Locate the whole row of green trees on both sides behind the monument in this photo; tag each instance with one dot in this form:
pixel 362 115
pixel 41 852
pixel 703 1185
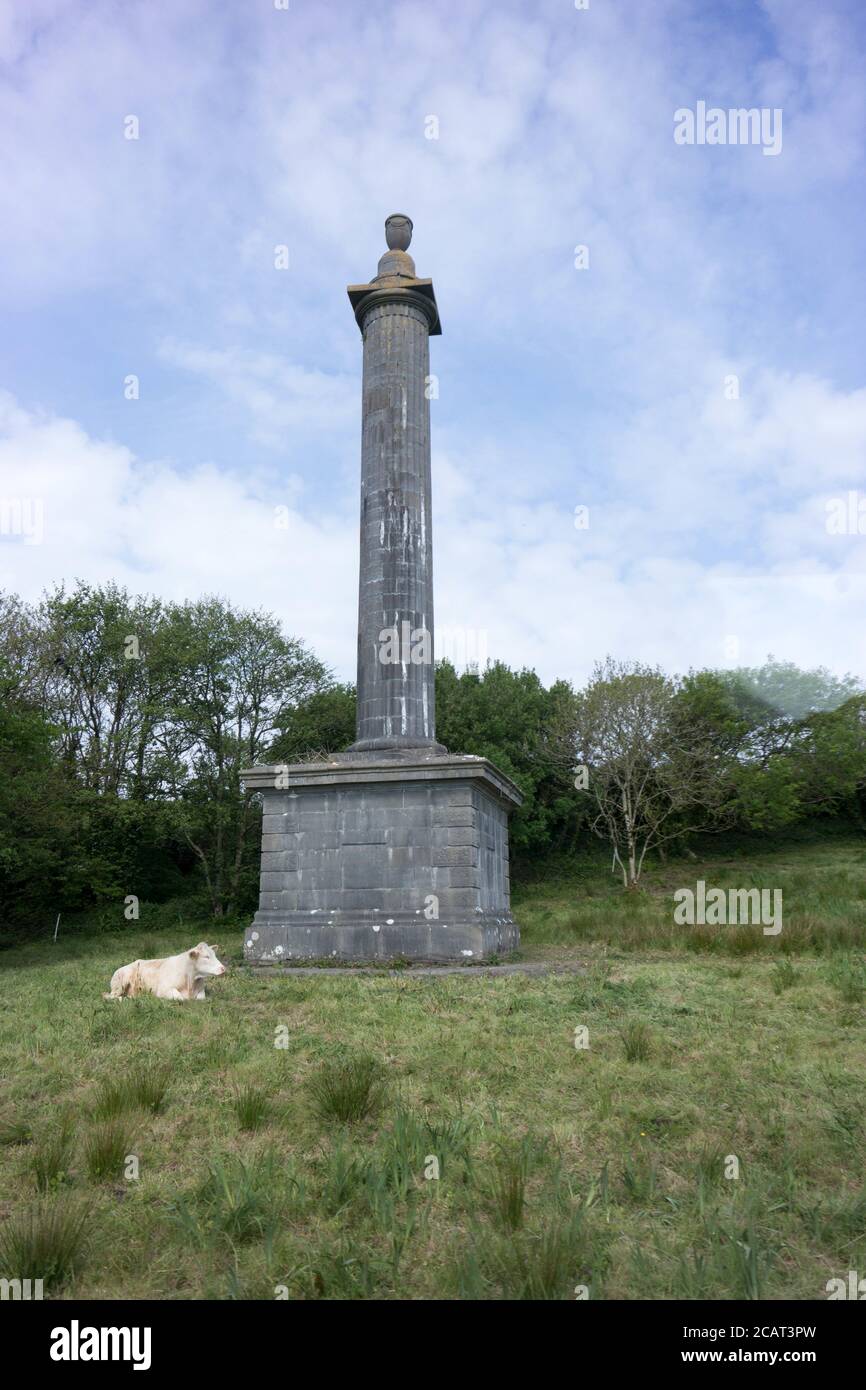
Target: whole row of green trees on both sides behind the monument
pixel 126 723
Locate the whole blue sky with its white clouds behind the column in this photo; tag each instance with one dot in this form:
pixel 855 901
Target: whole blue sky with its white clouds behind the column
pixel 558 387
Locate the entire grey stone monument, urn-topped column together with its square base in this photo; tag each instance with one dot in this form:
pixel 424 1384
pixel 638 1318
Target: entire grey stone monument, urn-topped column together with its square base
pixel 394 849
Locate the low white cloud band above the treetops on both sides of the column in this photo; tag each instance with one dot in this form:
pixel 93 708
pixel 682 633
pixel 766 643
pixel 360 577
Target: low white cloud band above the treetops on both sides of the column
pixel 544 594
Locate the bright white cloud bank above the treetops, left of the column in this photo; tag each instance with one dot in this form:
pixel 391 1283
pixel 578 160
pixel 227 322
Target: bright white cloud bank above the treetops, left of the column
pixel 158 530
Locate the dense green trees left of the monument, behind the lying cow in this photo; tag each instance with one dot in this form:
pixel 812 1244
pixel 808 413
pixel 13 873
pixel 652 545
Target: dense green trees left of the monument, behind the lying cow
pixel 124 729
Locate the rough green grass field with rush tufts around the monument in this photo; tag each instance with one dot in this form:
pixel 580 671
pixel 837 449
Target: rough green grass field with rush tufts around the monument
pixel 288 1134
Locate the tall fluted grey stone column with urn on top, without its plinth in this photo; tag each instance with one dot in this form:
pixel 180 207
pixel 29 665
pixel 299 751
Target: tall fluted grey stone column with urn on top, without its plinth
pixel 397 313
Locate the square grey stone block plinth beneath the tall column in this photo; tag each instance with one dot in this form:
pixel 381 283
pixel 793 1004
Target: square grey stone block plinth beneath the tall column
pixel 368 860
